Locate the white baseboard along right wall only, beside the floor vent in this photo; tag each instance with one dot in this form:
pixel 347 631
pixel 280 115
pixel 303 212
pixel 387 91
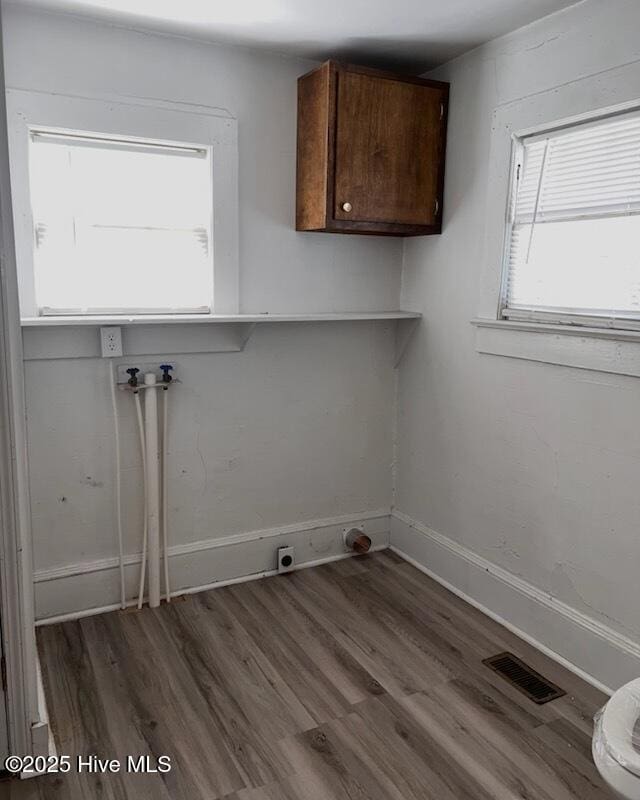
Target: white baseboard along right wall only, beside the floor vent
pixel 596 652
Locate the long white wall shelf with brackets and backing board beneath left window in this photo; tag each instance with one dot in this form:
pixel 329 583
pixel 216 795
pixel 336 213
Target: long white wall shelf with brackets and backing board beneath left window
pixel 61 337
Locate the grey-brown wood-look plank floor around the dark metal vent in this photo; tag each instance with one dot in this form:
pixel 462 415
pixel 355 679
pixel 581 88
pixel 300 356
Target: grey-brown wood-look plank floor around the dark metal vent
pixel 358 680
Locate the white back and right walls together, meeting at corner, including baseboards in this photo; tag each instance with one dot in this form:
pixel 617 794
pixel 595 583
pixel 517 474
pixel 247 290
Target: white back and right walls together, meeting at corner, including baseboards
pixel 526 471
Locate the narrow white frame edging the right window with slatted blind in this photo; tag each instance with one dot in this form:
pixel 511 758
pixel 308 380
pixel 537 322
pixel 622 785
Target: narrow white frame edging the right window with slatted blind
pixel 621 322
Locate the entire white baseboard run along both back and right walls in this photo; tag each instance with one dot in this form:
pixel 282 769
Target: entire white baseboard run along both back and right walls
pixel 594 651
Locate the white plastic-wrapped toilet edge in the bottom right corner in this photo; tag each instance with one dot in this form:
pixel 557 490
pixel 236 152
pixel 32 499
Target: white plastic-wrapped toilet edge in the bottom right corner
pixel 616 742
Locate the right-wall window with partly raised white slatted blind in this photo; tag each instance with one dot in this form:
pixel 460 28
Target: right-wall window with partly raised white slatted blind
pixel 574 249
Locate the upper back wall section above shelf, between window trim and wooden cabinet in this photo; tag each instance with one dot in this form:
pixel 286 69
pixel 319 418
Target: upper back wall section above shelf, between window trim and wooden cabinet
pixel 281 270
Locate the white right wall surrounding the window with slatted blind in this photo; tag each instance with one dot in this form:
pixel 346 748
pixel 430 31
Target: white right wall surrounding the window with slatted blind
pixel 533 467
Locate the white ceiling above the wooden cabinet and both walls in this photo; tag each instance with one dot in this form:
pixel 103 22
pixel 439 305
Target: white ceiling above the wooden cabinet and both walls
pixel 411 34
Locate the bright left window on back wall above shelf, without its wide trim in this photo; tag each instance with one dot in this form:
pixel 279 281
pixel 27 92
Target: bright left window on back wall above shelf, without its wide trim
pixel 120 225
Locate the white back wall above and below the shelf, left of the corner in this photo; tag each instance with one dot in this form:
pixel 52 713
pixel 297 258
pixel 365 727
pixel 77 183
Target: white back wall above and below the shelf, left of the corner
pixel 296 428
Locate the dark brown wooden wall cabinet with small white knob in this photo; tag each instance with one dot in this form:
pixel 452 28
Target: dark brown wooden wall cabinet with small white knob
pixel 371 148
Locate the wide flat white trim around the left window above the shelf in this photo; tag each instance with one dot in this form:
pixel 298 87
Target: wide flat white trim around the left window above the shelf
pixel 125 118
